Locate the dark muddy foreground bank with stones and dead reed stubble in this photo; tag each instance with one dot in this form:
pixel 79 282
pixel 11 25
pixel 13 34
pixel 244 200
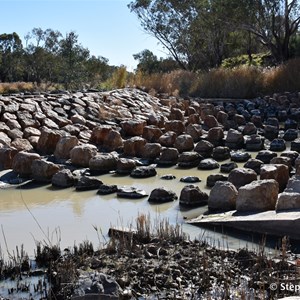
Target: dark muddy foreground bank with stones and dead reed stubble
pixel 157 261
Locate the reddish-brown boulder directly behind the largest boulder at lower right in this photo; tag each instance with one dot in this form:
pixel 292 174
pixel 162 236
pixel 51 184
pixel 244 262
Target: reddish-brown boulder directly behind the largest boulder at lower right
pixel 278 172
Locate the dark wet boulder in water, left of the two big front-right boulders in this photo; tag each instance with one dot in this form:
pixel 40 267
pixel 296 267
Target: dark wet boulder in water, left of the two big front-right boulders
pixel 191 196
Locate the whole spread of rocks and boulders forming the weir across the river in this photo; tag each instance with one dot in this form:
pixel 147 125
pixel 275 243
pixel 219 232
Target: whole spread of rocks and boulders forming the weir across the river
pixel 46 137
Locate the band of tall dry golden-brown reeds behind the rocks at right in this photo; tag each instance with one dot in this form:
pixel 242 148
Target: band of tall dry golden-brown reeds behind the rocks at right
pixel 238 82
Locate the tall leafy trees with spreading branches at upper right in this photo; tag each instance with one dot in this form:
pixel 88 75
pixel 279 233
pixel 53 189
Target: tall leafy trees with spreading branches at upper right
pixel 200 34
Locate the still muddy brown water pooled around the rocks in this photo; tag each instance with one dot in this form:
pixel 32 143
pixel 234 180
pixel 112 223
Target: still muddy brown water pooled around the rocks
pixel 68 217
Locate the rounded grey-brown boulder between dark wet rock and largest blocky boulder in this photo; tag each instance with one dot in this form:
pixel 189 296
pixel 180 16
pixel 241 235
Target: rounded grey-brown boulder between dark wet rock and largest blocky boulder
pixel 222 196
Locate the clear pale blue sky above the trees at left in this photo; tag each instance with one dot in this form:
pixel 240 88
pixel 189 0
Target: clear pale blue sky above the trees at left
pixel 105 27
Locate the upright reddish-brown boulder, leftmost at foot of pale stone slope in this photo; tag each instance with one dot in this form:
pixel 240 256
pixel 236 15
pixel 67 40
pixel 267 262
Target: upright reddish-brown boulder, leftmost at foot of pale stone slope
pixel 48 140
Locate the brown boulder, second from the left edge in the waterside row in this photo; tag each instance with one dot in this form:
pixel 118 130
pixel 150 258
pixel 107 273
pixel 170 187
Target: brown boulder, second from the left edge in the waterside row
pixel 22 162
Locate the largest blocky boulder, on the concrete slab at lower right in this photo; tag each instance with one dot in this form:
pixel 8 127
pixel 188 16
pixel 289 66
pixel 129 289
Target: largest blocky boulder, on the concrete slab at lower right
pixel 260 195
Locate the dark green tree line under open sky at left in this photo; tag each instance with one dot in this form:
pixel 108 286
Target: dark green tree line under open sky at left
pixel 48 56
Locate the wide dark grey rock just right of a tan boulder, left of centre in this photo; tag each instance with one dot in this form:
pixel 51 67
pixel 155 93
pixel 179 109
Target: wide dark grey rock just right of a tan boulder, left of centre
pixel 103 162
